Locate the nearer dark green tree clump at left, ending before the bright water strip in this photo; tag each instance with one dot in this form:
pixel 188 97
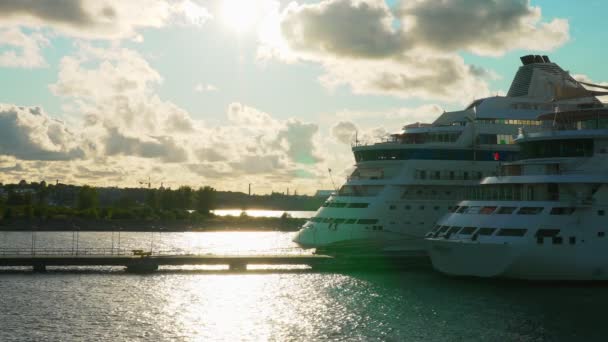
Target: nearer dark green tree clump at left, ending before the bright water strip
pixel 42 201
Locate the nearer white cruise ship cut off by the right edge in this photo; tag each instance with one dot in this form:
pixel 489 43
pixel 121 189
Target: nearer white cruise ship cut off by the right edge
pixel 544 217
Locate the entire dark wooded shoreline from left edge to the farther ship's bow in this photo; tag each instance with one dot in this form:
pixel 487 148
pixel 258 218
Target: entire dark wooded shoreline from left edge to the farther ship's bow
pixel 60 201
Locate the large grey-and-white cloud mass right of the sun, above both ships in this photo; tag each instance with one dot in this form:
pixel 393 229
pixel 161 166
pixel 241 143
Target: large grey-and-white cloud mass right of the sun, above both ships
pixel 411 51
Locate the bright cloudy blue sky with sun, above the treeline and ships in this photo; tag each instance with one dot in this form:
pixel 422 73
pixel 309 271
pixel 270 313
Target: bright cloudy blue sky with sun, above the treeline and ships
pixel 269 92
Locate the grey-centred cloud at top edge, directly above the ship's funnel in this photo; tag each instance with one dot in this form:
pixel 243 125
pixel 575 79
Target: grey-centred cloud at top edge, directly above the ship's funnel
pixel 482 27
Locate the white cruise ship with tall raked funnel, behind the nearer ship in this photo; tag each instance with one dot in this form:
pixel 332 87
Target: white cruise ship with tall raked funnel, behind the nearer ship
pixel 401 187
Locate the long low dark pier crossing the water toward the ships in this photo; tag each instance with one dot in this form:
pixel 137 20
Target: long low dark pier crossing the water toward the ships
pixel 140 261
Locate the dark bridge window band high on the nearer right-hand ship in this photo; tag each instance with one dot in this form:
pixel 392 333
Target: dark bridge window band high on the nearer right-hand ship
pixel 557 148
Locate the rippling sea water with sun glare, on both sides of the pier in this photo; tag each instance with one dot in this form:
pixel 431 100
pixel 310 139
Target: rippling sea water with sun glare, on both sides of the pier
pixel 197 304
